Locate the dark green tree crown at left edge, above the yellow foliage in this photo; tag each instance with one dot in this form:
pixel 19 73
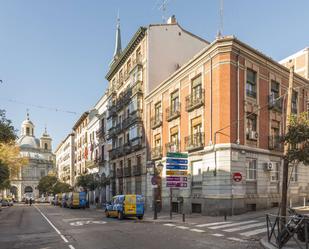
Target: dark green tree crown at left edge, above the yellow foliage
pixel 7 131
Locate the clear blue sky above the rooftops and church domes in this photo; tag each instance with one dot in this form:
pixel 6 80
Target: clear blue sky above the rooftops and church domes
pixel 56 53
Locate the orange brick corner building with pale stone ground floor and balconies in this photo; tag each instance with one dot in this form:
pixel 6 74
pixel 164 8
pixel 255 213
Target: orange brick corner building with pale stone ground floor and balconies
pixel 221 108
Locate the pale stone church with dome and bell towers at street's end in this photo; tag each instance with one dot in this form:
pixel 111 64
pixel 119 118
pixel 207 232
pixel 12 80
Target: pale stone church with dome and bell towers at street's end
pixel 41 161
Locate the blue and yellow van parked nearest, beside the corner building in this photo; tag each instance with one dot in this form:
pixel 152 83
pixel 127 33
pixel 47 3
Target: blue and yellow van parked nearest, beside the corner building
pixel 125 206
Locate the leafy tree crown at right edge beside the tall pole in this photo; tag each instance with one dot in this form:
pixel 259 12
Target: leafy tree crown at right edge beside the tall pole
pixel 298 139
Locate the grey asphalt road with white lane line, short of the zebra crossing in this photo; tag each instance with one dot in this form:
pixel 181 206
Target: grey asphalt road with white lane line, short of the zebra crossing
pixel 48 227
